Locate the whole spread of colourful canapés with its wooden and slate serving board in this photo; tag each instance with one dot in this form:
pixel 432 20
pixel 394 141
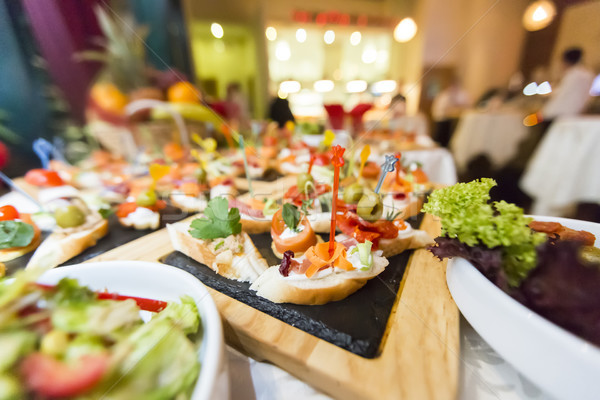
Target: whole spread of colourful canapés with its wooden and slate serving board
pixel 320 267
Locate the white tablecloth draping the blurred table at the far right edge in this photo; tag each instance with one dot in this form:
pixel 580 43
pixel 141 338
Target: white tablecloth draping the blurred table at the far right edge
pixel 565 168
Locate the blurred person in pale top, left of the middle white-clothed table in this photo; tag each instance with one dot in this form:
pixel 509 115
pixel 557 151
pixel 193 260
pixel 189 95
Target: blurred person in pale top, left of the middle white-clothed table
pixel 446 109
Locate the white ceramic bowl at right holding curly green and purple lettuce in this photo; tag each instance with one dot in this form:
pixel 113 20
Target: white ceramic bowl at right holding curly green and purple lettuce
pixel 559 362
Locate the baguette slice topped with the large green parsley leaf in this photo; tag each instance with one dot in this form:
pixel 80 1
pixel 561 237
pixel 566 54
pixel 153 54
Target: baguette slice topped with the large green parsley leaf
pixel 244 267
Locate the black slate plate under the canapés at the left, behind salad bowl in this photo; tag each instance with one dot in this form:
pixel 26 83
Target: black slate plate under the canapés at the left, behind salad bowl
pixel 117 235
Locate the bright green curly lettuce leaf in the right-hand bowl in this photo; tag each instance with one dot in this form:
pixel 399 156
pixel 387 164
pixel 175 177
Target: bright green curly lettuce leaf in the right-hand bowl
pixel 468 215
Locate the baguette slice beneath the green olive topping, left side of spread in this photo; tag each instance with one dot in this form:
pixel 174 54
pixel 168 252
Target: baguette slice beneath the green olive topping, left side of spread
pixel 60 247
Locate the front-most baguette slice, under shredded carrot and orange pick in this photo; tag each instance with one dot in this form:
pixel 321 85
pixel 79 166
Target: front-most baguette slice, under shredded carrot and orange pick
pixel 336 286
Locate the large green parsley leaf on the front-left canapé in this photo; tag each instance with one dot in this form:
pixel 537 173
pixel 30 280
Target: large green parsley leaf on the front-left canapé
pixel 219 221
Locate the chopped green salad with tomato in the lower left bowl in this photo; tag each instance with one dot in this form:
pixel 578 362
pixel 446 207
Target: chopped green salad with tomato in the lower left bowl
pixel 66 341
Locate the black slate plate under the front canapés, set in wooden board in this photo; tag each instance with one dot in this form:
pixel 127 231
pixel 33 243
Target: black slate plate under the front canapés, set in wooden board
pixel 356 324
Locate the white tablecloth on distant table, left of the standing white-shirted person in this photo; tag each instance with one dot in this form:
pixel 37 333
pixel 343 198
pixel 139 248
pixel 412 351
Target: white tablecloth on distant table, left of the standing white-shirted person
pixel 494 134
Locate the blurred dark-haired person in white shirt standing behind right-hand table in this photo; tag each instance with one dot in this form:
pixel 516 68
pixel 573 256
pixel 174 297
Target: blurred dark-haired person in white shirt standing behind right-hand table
pixel 573 93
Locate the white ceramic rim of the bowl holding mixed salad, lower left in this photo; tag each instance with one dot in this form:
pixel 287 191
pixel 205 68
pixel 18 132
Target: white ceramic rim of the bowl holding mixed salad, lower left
pixel 161 282
